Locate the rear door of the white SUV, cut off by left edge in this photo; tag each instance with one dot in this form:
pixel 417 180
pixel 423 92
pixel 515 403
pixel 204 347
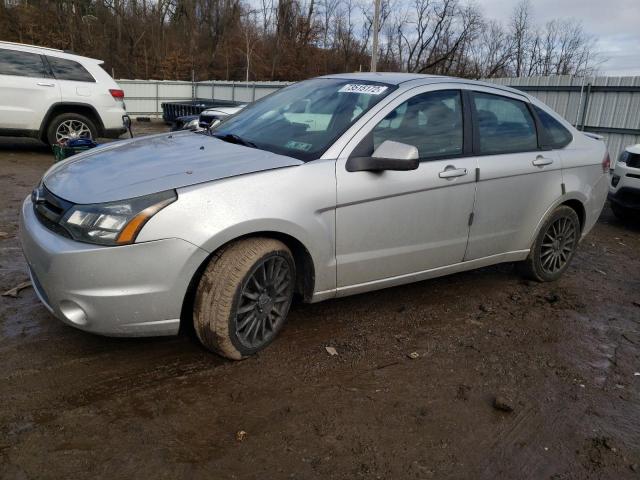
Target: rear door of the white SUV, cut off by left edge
pixel 26 90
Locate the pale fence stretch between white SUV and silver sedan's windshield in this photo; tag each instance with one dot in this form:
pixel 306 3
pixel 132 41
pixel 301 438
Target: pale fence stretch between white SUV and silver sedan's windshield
pixel 144 97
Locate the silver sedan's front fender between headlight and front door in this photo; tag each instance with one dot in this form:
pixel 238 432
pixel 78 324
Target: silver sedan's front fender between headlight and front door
pixel 298 202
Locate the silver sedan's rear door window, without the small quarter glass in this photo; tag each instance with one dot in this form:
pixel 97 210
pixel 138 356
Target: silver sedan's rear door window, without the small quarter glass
pixel 504 124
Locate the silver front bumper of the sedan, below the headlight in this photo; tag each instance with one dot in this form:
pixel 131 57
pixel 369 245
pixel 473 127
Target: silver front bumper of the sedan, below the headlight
pixel 130 290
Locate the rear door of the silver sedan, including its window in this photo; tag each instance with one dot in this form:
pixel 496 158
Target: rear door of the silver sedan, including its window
pixel 518 179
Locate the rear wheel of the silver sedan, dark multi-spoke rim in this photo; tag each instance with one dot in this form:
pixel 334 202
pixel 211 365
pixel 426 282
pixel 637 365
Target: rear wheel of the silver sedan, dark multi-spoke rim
pixel 554 247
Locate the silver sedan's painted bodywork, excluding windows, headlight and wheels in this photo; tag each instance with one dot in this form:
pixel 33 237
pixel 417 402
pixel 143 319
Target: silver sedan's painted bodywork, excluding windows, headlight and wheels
pixel 363 231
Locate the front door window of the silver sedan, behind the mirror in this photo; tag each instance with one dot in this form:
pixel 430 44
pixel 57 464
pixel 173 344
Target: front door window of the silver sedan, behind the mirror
pixel 431 122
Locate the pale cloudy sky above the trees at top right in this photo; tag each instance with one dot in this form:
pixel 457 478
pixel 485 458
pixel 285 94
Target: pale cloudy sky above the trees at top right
pixel 614 23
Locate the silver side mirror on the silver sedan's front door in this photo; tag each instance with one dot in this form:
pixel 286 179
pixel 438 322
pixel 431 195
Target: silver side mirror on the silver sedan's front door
pixel 389 155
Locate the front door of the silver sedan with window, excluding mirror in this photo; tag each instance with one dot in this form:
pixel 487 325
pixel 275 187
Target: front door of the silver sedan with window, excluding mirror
pixel 399 223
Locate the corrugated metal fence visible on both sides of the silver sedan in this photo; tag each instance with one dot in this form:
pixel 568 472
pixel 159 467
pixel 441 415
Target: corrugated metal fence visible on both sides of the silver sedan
pixel 608 106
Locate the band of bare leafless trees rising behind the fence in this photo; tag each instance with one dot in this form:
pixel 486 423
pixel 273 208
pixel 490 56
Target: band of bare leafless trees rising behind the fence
pixel 295 39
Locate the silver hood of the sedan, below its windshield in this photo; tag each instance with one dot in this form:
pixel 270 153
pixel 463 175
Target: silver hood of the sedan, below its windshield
pixel 145 165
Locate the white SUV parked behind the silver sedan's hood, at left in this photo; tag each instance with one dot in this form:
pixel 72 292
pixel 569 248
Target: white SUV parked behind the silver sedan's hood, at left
pixel 52 95
